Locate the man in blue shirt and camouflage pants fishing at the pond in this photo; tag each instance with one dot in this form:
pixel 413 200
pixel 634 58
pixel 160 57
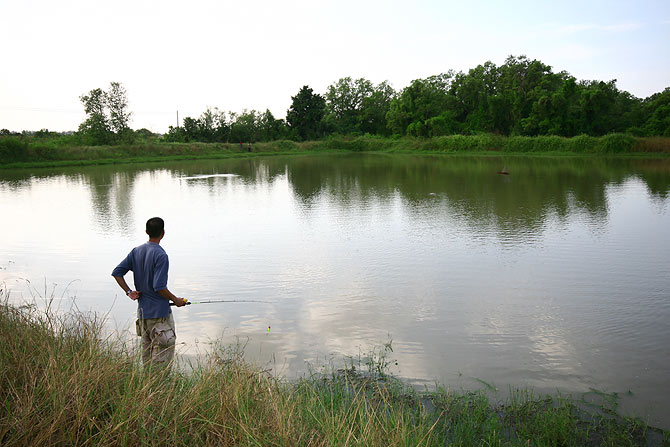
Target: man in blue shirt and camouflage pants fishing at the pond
pixel 155 324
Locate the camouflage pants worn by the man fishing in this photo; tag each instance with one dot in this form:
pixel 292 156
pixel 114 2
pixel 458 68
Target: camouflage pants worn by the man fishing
pixel 158 339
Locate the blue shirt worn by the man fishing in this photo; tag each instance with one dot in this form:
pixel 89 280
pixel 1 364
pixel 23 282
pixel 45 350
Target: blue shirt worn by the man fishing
pixel 149 264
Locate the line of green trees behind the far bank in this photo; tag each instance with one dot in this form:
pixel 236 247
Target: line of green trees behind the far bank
pixel 520 97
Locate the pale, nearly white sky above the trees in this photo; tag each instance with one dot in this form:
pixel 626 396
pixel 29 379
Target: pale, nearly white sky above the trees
pixel 256 54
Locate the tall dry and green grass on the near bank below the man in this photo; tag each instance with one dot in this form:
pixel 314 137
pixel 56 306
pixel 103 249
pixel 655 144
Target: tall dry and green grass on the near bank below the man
pixel 63 383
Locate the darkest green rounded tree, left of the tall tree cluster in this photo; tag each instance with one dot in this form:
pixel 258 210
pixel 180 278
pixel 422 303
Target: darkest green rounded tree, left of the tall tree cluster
pixel 305 114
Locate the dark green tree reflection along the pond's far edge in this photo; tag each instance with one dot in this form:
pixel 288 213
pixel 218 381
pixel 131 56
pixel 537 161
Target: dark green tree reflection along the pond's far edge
pixel 514 206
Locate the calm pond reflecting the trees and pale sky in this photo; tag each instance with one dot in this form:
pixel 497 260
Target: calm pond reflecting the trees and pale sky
pixel 555 276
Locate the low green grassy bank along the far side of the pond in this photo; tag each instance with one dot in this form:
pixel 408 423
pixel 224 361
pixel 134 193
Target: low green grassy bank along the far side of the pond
pixel 16 152
